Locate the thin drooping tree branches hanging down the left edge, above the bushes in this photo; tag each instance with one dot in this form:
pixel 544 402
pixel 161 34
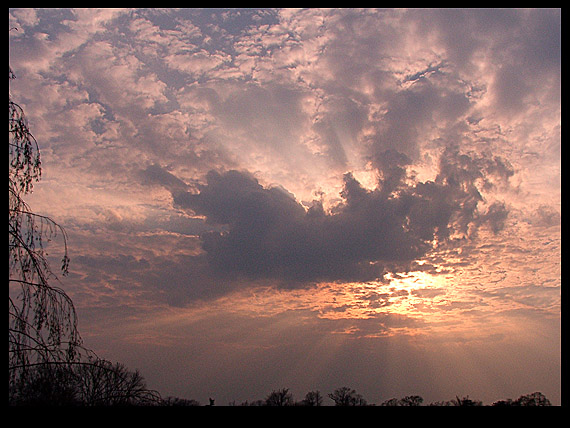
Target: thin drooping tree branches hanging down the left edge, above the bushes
pixel 42 324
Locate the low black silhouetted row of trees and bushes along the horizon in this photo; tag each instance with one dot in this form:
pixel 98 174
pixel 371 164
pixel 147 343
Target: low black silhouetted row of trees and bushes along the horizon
pixel 94 385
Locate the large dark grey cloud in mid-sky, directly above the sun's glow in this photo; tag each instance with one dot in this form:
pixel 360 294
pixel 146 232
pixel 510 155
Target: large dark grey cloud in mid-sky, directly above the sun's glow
pixel 269 235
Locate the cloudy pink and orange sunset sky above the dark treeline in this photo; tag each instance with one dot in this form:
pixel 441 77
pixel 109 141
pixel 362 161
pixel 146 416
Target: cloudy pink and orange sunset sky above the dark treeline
pixel 305 198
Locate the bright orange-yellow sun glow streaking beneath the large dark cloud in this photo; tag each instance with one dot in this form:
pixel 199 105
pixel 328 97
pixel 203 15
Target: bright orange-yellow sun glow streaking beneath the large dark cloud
pixel 415 294
